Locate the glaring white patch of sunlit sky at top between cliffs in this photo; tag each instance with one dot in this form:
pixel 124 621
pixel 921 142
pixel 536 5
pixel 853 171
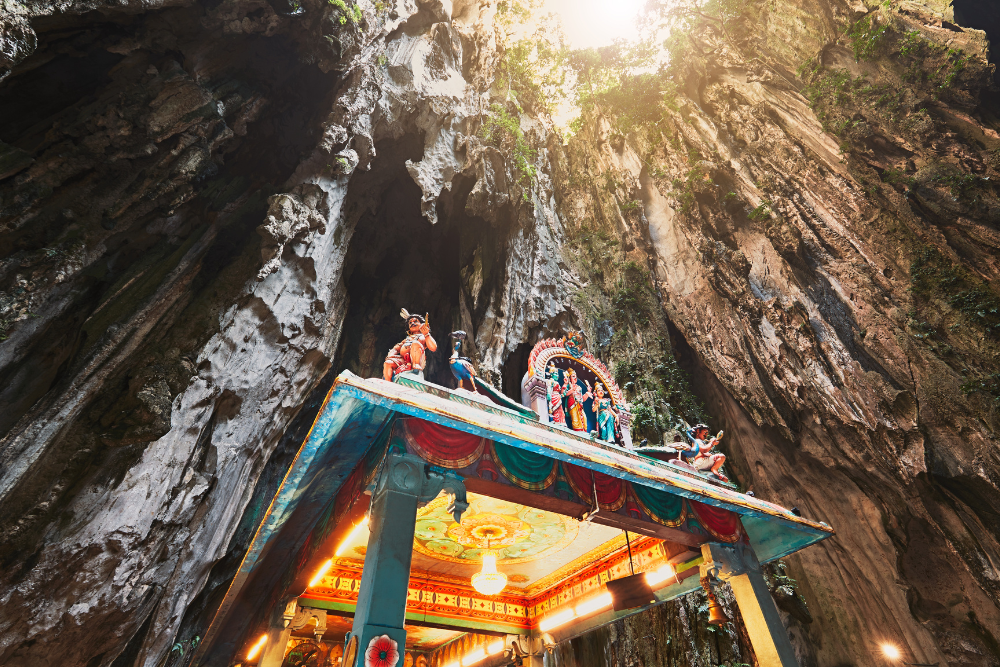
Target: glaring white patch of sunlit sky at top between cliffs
pixel 595 23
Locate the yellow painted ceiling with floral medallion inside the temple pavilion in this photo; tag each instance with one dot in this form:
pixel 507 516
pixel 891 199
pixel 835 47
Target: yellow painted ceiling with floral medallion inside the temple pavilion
pixel 532 545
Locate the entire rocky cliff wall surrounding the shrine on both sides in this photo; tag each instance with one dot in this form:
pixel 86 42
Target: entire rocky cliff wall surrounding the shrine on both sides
pixel 206 208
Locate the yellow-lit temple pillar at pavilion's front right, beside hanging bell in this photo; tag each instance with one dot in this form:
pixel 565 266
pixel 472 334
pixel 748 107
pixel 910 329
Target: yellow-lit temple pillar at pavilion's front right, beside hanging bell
pixel 737 564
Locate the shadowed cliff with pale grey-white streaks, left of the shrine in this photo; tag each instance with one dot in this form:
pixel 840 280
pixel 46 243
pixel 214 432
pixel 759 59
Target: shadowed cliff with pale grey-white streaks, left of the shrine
pixel 179 198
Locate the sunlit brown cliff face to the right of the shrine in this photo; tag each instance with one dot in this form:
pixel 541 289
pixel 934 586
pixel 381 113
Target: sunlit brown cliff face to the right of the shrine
pixel 825 242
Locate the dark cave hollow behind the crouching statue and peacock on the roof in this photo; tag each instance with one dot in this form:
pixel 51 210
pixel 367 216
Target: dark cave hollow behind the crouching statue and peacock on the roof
pixel 397 259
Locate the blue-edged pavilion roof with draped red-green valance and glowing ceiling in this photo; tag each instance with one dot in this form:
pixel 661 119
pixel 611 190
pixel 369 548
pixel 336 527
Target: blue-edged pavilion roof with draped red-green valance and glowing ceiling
pixel 529 485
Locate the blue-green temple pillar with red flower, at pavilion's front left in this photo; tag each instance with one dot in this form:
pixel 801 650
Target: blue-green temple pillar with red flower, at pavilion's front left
pixel 404 483
